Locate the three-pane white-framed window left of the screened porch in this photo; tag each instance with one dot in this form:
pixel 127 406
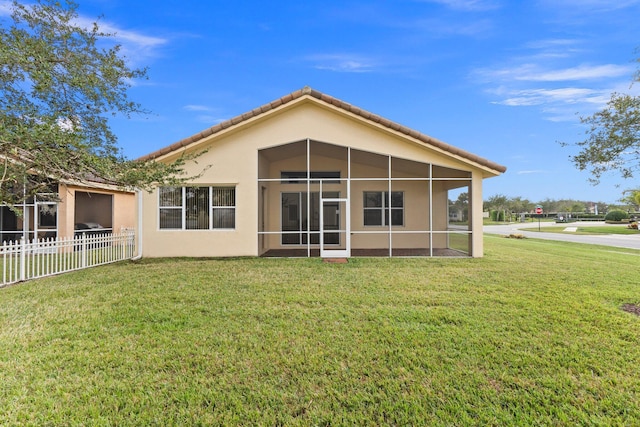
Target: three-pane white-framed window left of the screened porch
pixel 197 208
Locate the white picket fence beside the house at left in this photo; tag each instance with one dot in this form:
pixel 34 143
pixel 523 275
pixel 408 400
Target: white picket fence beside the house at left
pixel 24 260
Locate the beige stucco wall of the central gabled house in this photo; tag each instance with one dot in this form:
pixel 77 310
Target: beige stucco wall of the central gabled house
pixel 232 159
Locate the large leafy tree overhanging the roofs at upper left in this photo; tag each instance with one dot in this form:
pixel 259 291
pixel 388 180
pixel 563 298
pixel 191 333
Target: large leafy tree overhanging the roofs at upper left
pixel 59 84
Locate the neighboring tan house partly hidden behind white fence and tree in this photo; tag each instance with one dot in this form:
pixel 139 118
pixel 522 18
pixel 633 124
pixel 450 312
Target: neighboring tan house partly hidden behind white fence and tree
pixel 67 209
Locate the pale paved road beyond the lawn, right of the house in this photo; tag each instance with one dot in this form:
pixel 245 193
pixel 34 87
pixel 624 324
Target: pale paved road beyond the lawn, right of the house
pixel 631 241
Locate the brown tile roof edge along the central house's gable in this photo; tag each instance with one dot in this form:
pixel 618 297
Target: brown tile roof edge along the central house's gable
pixel 307 91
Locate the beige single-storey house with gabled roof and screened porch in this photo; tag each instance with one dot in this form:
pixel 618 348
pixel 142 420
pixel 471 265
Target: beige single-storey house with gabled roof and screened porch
pixel 311 175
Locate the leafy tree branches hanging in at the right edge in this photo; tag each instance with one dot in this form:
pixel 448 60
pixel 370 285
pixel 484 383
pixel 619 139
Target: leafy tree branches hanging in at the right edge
pixel 613 138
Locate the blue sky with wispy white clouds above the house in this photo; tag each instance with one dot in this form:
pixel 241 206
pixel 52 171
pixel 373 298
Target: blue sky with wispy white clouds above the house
pixel 502 79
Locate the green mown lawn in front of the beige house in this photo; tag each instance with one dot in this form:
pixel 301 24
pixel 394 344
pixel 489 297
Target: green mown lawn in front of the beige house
pixel 532 334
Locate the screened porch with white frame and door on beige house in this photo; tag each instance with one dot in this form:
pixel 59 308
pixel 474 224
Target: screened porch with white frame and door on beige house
pixel 322 199
